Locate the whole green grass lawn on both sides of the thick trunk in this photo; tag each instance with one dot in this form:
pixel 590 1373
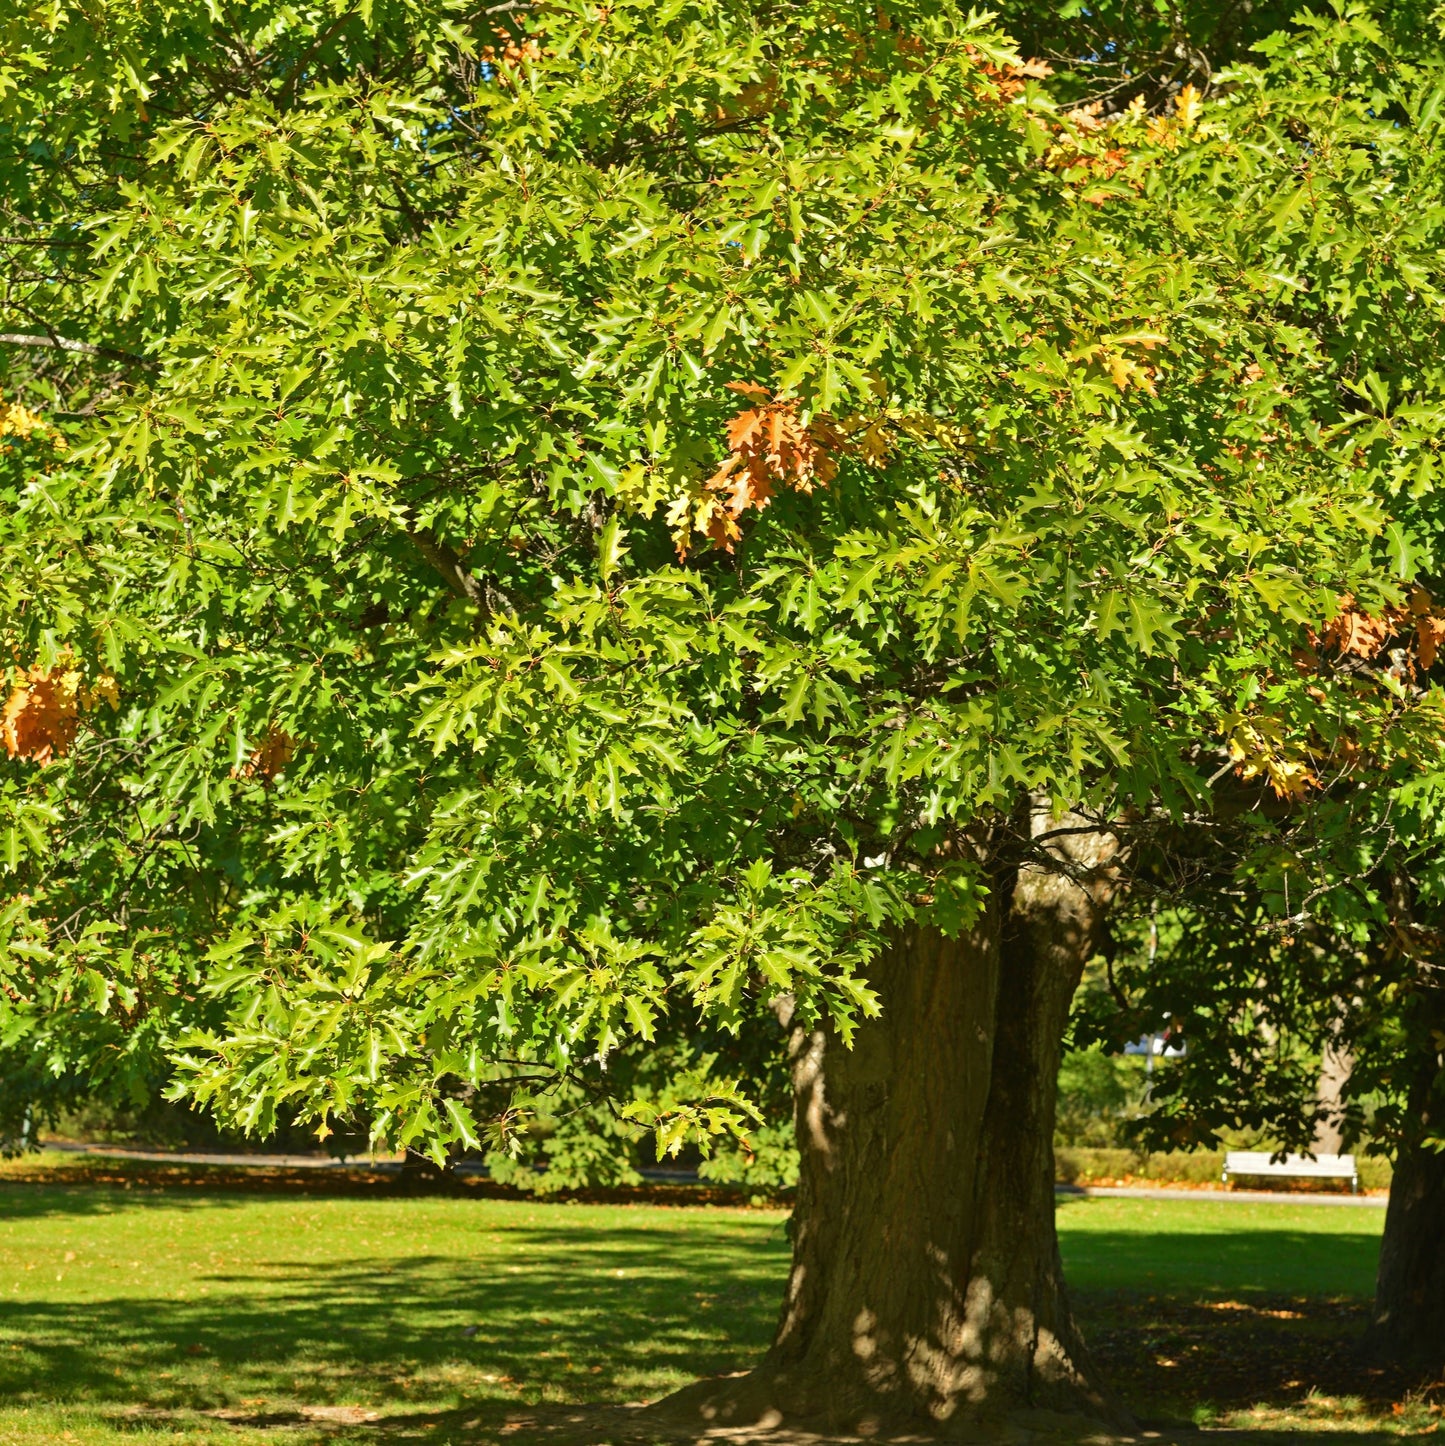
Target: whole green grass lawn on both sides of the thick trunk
pixel 189 1317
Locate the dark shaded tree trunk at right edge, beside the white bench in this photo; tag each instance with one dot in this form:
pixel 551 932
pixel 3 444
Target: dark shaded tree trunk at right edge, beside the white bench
pixel 1410 1304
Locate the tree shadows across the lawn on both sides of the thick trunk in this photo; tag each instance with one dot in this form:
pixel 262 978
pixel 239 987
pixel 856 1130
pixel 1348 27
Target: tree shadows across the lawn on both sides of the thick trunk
pixel 542 1340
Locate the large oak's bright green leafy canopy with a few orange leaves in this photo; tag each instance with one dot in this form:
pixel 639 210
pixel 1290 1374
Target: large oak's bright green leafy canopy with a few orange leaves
pixel 568 523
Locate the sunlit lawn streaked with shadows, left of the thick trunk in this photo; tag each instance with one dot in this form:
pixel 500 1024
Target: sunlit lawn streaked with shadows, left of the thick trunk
pixel 377 1302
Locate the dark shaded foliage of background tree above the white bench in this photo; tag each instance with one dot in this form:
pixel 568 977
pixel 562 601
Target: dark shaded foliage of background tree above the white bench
pixel 1259 998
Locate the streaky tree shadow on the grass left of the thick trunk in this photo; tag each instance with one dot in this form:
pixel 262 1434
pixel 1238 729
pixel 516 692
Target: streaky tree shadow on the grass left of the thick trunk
pixel 585 1314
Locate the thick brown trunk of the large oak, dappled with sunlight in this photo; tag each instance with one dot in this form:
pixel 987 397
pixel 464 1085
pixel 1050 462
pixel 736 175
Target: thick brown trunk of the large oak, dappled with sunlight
pixel 926 1282
